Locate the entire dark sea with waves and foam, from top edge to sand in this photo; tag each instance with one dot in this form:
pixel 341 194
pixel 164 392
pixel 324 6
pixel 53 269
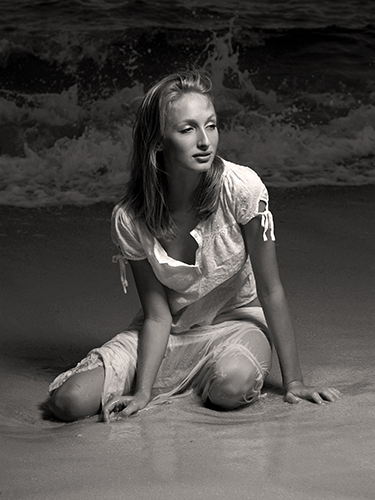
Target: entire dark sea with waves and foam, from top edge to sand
pixel 294 89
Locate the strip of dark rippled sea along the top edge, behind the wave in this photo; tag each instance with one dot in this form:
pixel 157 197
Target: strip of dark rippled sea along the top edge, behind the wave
pixel 35 16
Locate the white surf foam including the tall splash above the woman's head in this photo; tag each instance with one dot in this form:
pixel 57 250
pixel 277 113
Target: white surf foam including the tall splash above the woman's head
pixel 76 151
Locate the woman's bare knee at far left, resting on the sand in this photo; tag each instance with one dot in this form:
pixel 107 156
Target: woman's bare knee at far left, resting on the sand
pixel 78 397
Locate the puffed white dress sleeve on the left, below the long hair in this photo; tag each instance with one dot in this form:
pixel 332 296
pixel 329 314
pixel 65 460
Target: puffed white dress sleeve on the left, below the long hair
pixel 125 234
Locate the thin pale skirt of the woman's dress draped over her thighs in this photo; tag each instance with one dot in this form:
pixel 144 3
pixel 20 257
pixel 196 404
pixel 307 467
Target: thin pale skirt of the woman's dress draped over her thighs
pixel 189 360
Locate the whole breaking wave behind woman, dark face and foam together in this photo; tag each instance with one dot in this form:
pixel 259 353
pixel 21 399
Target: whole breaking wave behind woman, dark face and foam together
pixel 65 133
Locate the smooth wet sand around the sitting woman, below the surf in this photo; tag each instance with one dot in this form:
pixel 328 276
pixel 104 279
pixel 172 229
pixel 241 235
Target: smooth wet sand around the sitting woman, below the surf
pixel 61 295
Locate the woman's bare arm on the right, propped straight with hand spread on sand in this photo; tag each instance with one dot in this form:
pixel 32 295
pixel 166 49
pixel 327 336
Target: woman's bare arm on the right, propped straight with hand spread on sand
pixel 275 306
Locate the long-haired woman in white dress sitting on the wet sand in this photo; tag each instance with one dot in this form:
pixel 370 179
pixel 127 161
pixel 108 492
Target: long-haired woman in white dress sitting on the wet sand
pixel 189 224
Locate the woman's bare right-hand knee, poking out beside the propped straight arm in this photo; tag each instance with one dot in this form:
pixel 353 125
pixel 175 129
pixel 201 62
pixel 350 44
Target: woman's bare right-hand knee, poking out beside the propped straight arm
pixel 236 381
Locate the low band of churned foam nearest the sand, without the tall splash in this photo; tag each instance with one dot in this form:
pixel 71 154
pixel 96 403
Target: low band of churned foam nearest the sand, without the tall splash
pixel 92 167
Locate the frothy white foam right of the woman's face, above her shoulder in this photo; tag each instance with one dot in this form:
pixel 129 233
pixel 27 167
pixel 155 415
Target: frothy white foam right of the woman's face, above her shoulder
pixel 288 155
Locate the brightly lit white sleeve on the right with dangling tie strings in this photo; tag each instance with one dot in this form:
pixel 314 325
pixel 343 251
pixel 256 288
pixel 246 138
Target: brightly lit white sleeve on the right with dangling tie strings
pixel 244 191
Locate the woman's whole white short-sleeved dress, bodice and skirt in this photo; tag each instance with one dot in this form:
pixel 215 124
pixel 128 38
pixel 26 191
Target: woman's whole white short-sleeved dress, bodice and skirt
pixel 207 299
